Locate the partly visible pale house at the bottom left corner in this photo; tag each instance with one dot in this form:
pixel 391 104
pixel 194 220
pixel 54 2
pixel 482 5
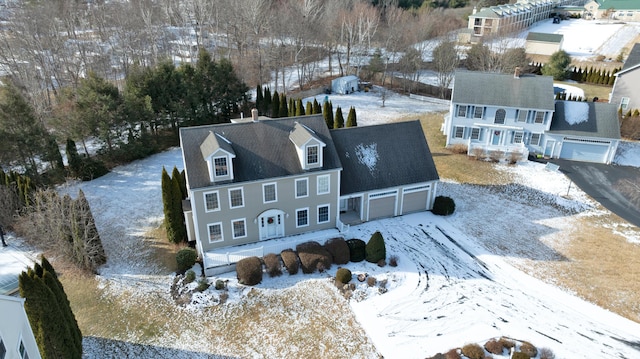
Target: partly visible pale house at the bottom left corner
pixel 16 337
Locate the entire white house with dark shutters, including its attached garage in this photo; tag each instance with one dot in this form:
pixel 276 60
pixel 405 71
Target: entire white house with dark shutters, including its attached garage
pixel 516 115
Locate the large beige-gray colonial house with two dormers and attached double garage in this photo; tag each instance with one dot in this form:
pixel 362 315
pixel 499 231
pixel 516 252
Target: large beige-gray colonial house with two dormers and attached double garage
pixel 269 178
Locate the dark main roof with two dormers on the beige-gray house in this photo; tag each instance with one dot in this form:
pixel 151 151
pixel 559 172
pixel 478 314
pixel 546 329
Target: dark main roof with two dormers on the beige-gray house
pixel 263 149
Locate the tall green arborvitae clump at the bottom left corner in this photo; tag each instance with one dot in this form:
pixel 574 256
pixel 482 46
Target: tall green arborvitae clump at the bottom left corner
pixel 53 324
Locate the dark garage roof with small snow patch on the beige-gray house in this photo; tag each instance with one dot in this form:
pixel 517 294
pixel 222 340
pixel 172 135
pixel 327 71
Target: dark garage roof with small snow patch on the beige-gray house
pixel 383 156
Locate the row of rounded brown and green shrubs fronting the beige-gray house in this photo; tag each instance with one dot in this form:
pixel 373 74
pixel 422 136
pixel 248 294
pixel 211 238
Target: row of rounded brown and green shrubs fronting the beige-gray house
pixel 312 256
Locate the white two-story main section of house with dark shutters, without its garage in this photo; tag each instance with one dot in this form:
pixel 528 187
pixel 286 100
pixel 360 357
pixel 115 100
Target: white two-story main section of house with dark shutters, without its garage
pixel 492 112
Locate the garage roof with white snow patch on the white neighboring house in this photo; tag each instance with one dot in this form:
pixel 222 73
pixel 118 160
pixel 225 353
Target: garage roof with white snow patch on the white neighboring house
pixel 601 121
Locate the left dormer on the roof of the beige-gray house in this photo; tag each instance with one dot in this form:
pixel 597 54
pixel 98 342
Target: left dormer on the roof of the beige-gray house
pixel 218 153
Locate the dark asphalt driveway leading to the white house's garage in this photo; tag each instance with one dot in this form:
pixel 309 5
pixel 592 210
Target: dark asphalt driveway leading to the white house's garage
pixel 612 186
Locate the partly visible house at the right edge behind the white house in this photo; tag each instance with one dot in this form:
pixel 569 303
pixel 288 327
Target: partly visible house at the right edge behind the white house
pixel 626 88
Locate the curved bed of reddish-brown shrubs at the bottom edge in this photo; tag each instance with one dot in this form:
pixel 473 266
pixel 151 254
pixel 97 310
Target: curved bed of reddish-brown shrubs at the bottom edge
pixel 517 350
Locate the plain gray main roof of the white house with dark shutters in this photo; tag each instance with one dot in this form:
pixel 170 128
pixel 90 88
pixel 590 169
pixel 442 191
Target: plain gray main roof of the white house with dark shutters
pixel 493 89
